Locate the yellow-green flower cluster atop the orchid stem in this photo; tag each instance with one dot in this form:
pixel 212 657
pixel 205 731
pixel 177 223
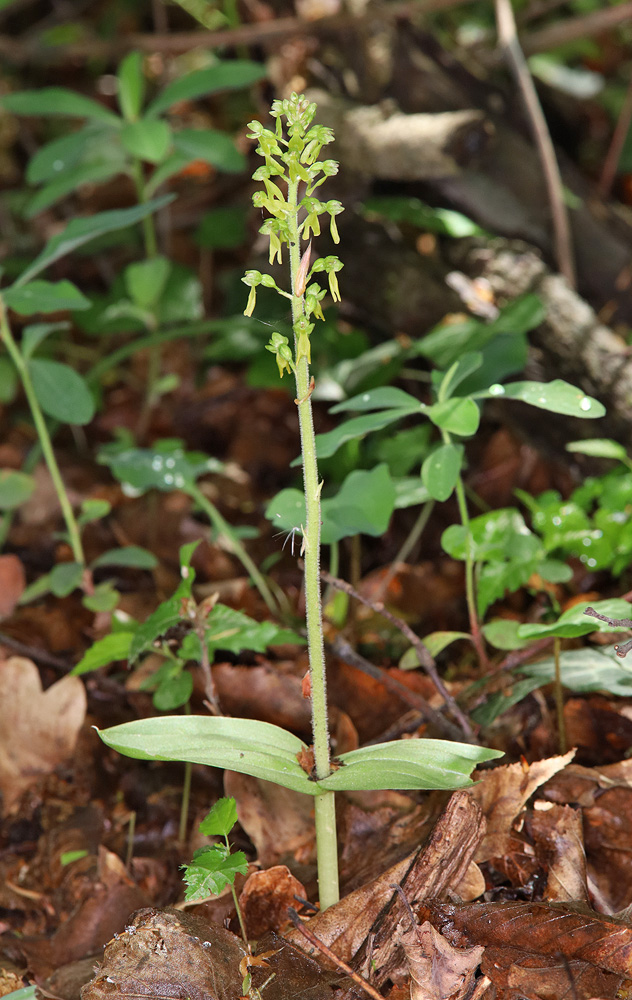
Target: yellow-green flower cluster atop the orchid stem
pixel 290 155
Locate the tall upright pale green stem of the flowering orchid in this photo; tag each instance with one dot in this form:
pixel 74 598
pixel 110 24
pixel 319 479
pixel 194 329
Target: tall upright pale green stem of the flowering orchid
pixel 324 804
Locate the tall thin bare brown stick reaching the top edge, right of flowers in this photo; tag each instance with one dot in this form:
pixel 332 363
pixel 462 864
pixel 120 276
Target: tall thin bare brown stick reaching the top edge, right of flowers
pixel 508 39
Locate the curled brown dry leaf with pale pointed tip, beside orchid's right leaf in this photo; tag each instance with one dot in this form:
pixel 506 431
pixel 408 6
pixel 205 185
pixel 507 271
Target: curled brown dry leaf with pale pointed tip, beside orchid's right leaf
pixel 502 795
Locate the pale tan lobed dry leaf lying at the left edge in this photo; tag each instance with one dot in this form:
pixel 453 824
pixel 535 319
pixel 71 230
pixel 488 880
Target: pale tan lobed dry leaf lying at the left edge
pixel 38 729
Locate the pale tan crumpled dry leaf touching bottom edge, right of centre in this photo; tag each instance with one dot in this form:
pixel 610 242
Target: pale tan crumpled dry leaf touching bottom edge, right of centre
pixel 438 970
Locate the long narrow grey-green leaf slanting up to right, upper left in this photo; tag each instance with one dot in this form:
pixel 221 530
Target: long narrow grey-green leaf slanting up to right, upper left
pixel 82 230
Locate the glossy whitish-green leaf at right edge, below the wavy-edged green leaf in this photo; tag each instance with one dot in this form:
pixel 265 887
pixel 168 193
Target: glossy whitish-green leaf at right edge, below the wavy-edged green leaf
pixel 585 670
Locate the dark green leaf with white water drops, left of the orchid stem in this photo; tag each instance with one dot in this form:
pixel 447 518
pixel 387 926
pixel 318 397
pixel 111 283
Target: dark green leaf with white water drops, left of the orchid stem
pixel 165 468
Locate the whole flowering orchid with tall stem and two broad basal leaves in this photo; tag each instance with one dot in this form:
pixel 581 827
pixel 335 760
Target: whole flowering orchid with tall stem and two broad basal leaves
pixel 290 175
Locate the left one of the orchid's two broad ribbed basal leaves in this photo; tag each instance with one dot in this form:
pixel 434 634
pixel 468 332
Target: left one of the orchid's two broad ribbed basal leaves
pixel 244 745
